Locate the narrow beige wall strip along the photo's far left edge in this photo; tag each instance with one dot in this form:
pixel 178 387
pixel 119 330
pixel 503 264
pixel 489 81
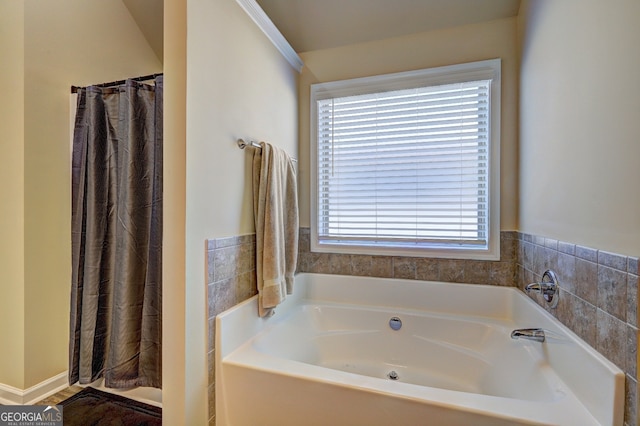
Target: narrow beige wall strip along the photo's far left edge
pixel 12 193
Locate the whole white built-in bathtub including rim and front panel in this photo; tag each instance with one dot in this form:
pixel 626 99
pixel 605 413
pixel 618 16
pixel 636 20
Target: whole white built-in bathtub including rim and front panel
pixel 327 355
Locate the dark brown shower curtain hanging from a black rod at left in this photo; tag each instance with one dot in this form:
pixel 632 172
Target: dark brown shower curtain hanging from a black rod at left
pixel 116 294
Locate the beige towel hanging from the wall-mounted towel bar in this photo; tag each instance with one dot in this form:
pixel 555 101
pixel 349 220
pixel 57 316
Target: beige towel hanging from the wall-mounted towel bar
pixel 275 205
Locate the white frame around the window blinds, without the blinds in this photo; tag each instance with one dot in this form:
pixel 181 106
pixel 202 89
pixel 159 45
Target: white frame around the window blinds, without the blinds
pixel 481 70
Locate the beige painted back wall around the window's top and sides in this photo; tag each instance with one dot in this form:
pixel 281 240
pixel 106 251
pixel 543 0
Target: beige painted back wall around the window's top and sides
pixel 496 39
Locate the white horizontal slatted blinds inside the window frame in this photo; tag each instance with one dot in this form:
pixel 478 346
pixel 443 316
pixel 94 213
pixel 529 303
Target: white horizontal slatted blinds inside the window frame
pixel 405 167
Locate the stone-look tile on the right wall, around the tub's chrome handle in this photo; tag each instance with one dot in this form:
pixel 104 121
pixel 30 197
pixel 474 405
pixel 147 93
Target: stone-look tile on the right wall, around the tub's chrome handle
pixel 598 299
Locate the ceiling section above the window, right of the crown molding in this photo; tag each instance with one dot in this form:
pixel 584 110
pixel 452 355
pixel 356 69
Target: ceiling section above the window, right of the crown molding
pixel 319 24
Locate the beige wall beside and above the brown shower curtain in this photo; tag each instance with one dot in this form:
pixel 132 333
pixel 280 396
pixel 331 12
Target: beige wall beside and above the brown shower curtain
pixel 58 43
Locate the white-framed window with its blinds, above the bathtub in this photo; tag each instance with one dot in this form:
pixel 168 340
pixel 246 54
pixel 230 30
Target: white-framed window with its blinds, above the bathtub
pixel 408 163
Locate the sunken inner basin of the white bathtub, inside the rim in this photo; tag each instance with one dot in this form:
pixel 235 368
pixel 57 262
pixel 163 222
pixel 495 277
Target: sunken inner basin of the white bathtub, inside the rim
pixel 466 354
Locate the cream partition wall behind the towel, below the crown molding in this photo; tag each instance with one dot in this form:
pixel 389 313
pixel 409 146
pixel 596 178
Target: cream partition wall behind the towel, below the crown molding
pixel 238 85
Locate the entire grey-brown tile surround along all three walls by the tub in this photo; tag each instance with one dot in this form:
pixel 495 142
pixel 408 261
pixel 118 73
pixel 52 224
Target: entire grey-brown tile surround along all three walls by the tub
pixel 598 299
